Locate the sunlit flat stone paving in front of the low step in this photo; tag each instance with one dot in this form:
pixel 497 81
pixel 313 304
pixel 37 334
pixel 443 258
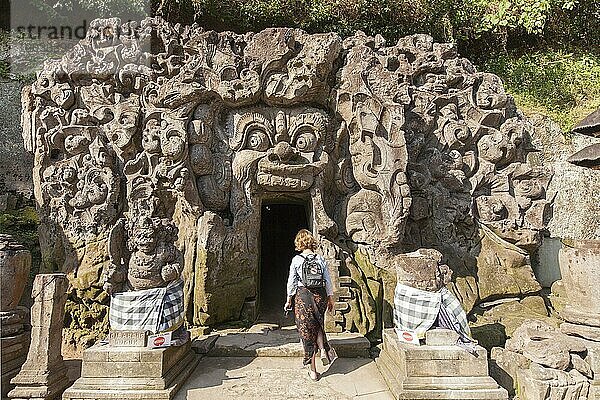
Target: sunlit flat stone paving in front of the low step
pixel 275 378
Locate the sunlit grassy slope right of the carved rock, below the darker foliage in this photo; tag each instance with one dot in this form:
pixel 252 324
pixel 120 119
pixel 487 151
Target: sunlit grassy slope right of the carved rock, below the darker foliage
pixel 564 86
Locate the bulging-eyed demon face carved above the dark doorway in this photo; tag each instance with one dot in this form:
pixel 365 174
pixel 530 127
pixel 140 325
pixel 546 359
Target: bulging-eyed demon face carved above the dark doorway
pixel 282 150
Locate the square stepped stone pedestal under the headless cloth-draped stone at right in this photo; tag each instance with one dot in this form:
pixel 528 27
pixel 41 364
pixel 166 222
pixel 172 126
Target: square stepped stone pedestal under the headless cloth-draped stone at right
pixel 440 371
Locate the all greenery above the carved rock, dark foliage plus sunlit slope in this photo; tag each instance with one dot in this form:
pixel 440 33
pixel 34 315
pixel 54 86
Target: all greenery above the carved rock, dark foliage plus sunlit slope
pixel 520 40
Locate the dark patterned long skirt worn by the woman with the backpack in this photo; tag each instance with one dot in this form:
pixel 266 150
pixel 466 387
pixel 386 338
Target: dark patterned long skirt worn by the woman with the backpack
pixel 309 309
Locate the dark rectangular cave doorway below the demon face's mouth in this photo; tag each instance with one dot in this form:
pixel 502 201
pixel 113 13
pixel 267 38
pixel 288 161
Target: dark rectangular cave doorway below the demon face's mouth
pixel 280 222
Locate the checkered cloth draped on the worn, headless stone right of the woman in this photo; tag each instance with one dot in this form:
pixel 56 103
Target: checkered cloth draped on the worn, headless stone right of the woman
pixel 416 310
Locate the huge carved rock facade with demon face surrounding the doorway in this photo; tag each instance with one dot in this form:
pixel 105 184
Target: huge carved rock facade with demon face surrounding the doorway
pixel 394 148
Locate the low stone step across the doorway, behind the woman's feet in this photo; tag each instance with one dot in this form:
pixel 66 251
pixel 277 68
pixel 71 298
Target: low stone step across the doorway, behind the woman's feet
pixel 275 343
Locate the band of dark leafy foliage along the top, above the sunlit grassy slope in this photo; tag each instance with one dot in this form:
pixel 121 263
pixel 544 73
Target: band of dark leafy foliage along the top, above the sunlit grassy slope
pixel 477 26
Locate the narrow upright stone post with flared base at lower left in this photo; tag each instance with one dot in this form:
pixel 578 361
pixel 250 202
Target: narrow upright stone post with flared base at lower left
pixel 43 376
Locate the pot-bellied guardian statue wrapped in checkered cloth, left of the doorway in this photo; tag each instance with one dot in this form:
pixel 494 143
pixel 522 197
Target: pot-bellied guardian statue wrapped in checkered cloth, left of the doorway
pixel 144 277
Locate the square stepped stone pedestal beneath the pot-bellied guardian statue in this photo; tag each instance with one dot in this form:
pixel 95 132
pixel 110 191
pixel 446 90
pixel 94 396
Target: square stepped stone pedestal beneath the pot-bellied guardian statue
pixel 111 372
